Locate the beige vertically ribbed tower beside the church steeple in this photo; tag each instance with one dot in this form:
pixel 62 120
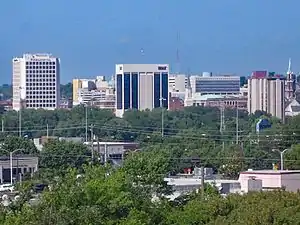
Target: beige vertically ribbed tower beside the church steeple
pixel 266 93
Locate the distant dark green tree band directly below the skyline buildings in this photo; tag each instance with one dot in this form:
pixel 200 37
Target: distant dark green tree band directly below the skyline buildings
pixel 194 131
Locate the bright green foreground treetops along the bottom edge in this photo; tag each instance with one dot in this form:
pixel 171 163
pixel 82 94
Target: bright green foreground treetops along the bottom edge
pixel 99 198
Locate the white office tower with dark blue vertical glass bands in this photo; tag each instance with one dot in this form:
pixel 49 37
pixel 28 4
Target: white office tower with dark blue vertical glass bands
pixel 141 86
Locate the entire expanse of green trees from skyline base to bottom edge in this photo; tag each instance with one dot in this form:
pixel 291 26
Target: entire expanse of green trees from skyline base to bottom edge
pixel 135 193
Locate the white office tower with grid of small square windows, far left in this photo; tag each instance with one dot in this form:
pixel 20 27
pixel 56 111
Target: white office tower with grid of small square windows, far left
pixel 36 81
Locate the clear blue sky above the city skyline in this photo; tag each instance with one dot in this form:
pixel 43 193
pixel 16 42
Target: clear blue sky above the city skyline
pixel 91 36
